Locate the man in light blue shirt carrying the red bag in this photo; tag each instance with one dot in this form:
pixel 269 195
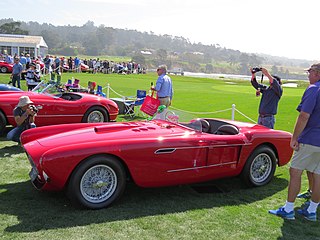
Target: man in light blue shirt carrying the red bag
pixel 163 86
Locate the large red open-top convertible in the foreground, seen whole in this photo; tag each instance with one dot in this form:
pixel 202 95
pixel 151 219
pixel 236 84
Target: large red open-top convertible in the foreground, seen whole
pixel 93 161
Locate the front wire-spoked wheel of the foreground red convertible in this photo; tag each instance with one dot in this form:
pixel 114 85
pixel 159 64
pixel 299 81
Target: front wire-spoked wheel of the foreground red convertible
pixel 97 182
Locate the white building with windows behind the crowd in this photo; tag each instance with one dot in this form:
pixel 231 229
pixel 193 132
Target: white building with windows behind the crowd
pixel 17 44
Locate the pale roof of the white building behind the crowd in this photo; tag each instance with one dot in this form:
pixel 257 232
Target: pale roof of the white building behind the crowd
pixel 22 40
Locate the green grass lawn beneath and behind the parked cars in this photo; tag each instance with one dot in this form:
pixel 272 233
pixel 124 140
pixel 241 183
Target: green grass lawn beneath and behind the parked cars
pixel 228 210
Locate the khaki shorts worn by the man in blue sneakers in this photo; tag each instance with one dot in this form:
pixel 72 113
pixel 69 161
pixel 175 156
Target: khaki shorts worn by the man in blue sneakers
pixel 307 158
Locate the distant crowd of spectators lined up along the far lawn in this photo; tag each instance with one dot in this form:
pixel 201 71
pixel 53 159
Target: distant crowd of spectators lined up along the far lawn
pixel 31 69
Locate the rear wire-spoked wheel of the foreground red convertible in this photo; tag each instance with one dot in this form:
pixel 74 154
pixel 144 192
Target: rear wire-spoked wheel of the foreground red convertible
pixel 260 167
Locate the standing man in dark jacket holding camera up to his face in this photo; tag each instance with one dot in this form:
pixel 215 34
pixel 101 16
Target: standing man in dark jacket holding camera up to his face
pixel 271 95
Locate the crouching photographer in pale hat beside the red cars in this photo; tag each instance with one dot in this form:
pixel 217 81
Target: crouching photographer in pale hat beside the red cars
pixel 24 115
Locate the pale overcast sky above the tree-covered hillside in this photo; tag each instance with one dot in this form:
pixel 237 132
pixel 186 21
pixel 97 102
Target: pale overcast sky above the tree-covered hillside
pixel 276 27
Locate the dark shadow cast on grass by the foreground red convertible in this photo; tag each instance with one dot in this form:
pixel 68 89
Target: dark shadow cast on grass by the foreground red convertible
pixel 51 210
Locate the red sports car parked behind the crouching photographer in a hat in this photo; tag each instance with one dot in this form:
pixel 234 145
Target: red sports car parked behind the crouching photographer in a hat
pixel 59 108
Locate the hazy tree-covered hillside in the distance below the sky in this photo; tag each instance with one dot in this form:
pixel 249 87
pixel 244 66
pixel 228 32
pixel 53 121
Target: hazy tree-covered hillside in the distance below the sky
pixel 151 50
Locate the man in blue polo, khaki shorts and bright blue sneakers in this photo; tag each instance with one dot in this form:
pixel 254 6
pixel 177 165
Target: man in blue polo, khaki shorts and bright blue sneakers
pixel 306 144
